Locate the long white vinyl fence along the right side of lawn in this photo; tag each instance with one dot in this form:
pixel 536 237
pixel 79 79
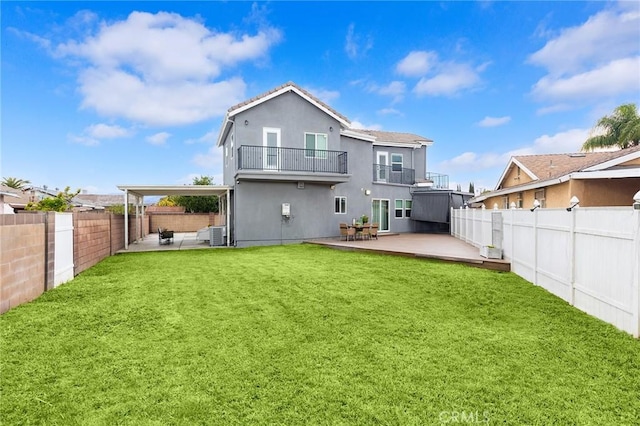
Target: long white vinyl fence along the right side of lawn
pixel 589 257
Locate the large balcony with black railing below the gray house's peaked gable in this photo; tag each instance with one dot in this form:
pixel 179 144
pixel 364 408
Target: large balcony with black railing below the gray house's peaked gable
pixel 292 164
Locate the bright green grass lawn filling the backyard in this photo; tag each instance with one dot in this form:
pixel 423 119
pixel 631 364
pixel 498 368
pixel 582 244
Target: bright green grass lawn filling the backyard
pixel 309 335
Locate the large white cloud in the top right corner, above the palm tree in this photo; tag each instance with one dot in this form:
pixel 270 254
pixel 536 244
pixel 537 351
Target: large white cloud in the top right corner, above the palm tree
pixel 594 61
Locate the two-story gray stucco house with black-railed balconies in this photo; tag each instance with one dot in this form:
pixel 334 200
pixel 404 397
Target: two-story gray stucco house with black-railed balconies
pixel 298 170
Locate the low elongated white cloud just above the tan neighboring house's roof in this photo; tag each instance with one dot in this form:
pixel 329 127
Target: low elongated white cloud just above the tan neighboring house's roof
pixel 562 142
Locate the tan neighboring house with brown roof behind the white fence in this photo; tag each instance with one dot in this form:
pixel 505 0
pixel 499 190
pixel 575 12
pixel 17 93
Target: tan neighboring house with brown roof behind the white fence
pixel 596 178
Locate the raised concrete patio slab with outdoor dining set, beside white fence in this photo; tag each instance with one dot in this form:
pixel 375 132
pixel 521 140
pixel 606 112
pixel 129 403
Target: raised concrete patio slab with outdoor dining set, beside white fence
pixel 432 246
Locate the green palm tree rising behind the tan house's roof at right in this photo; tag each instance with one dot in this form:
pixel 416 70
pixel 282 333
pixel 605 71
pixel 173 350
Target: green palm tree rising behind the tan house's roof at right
pixel 621 129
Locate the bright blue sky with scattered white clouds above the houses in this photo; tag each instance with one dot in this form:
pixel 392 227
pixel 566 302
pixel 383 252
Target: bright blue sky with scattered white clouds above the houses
pixel 96 94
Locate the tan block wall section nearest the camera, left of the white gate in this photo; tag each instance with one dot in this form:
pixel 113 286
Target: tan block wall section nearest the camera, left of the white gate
pixel 22 264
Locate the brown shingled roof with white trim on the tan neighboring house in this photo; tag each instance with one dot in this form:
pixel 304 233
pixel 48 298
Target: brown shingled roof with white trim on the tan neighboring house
pixel 550 169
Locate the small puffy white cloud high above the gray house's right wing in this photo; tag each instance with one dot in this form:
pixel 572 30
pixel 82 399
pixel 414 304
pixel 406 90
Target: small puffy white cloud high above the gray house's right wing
pixel 450 80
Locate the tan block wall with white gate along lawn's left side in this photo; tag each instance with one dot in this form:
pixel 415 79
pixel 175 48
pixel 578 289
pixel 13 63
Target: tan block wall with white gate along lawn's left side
pixel 39 251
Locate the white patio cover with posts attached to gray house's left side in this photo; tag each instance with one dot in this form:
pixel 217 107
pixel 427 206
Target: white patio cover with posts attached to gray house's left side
pixel 140 191
